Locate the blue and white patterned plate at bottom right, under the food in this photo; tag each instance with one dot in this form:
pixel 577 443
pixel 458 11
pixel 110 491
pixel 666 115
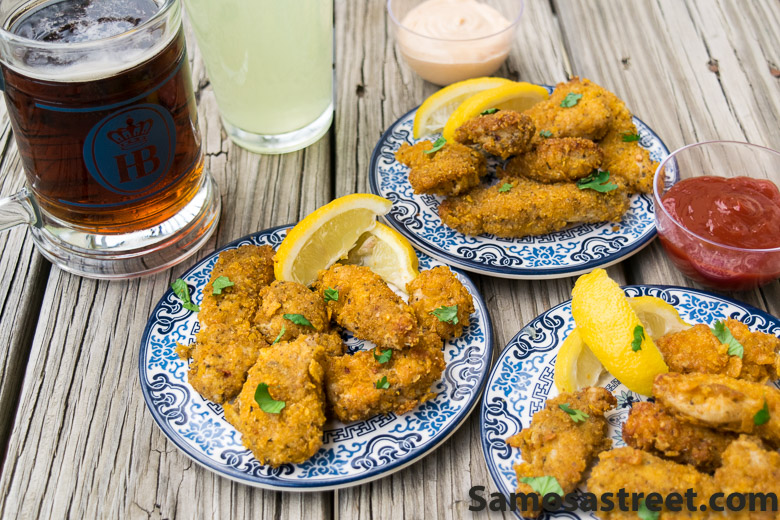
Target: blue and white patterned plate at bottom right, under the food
pixel 522 379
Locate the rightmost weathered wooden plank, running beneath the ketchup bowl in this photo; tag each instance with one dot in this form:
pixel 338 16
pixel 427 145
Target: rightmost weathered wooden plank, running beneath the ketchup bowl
pixel 700 71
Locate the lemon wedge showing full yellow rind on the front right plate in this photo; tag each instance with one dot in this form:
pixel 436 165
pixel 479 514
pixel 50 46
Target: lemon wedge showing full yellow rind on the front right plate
pixel 607 324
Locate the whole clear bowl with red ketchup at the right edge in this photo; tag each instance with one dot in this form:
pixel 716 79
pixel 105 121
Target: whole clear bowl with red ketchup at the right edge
pixel 719 219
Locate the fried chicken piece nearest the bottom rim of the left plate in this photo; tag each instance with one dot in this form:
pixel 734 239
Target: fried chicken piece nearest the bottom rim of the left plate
pixel 294 374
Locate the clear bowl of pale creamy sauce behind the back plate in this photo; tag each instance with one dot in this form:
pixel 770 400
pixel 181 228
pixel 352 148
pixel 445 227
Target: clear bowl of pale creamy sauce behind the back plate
pixel 445 41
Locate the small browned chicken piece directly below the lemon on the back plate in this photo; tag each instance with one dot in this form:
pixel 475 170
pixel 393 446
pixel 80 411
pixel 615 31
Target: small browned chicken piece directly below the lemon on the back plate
pixel 503 133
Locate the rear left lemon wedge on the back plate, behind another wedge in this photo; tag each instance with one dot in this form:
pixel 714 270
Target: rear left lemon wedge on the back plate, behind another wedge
pixel 433 113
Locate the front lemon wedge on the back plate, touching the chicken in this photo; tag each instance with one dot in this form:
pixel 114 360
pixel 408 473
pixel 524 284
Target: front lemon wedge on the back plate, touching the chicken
pixel 517 96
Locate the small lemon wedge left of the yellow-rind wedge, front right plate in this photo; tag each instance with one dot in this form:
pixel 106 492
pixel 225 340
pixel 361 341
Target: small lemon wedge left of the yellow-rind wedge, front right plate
pixel 576 366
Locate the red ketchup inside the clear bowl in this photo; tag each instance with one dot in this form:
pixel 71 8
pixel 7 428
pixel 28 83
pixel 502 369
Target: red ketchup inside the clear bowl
pixel 740 212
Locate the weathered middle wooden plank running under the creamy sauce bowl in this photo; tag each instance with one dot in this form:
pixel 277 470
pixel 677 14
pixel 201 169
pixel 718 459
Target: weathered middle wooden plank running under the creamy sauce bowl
pixel 378 87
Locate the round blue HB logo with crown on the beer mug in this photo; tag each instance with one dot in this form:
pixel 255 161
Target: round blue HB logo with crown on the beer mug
pixel 128 151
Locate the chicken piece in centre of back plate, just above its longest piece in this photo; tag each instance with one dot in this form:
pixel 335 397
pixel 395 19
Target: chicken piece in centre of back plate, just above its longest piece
pixel 555 160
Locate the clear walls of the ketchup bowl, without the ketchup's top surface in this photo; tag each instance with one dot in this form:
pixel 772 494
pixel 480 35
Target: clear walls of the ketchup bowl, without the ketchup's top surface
pixel 715 265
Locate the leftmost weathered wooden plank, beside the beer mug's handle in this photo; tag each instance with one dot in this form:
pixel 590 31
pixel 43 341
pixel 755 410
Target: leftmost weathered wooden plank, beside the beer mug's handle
pixel 24 274
